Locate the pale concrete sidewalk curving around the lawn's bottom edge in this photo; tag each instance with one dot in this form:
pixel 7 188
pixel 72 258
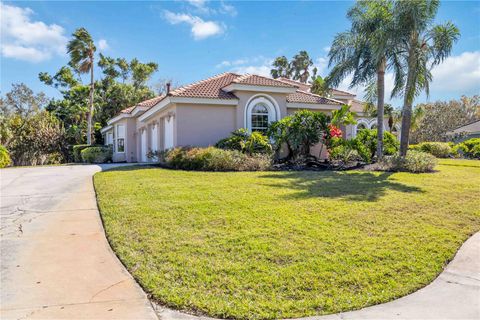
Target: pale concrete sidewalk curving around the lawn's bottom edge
pixel 454 294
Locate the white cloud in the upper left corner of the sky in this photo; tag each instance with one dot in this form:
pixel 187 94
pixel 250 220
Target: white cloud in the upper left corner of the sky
pixel 29 40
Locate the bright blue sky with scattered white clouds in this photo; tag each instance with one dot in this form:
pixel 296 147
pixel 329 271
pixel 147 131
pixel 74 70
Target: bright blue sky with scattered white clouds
pixel 192 40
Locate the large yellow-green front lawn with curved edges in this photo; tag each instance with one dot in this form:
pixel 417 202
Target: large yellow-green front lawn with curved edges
pixel 264 245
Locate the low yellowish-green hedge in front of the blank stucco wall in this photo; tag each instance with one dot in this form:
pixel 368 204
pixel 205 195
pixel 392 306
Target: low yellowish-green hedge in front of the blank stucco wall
pixel 215 159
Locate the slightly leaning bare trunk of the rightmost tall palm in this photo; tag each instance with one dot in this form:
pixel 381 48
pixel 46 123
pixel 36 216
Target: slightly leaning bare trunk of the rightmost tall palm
pixel 408 100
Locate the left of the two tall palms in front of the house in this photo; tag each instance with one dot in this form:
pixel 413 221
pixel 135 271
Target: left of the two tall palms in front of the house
pixel 367 50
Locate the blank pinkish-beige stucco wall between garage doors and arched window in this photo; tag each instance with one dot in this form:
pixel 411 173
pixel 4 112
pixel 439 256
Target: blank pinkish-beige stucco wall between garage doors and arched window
pixel 203 125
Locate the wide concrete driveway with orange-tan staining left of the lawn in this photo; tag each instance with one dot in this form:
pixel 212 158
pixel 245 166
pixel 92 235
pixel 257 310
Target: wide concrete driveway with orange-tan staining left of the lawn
pixel 55 260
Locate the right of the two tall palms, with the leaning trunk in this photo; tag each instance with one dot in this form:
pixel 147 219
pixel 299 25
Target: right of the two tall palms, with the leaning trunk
pixel 425 46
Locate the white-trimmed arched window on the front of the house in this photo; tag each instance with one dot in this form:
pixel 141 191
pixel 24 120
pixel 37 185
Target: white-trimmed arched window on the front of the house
pixel 260 111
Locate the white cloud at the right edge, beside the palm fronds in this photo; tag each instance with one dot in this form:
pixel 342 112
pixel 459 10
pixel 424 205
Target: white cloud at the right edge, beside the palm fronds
pixel 457 74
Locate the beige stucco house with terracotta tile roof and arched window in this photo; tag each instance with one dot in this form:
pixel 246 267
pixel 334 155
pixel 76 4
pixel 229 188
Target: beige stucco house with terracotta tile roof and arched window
pixel 204 112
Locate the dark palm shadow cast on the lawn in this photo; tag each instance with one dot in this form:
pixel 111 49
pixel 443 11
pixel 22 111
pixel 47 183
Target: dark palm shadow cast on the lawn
pixel 355 186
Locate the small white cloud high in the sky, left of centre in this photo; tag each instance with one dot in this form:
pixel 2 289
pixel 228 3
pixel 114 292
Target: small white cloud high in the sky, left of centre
pixel 200 29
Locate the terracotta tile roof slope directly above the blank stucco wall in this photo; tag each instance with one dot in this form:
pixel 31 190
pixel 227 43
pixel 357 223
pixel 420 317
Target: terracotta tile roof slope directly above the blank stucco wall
pixel 208 88
